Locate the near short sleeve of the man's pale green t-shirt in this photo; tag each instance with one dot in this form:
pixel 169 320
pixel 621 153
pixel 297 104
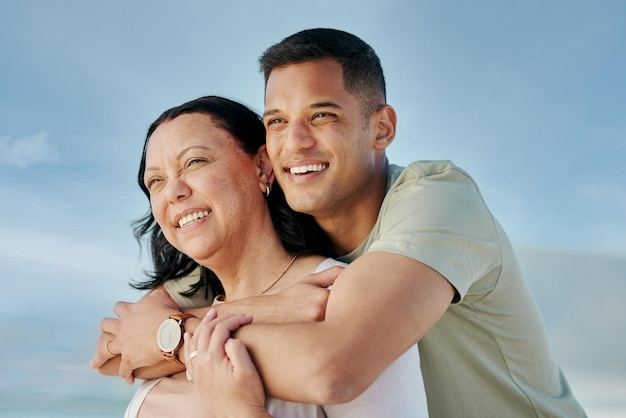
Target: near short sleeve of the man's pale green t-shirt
pixel 439 218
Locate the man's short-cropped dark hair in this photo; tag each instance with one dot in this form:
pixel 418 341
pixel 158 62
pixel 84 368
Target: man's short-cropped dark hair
pixel 362 73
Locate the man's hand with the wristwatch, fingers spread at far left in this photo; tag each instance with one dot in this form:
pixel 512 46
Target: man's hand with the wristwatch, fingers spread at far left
pixel 133 334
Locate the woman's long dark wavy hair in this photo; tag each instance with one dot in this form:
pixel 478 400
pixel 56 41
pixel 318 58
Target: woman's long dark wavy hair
pixel 298 232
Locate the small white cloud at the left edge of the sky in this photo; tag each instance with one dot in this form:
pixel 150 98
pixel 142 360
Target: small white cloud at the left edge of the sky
pixel 26 151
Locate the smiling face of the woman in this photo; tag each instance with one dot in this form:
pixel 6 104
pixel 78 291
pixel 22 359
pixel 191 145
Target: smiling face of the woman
pixel 203 187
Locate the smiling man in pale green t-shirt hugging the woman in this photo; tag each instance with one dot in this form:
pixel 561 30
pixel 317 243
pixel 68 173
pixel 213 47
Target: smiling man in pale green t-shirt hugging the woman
pixel 429 263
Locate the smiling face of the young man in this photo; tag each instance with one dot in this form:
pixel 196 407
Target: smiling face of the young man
pixel 321 148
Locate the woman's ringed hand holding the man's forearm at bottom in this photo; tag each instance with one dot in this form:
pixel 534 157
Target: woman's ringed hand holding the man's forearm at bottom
pixel 222 369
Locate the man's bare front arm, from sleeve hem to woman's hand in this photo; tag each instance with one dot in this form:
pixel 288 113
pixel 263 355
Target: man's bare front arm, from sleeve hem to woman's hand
pixel 380 305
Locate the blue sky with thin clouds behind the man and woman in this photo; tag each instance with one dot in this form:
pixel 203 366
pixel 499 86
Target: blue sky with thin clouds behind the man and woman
pixel 526 96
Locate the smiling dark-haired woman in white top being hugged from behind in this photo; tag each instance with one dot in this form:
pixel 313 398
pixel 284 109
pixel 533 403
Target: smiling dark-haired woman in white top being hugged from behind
pixel 209 182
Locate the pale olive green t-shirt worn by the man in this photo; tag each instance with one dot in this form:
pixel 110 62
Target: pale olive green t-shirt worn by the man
pixel 489 355
